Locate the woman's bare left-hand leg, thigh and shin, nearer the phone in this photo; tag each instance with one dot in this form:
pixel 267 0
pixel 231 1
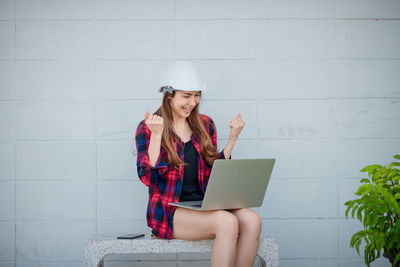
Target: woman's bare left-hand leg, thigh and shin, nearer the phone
pixel 221 225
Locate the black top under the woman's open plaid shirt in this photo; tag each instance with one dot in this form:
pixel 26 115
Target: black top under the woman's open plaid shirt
pixel 191 190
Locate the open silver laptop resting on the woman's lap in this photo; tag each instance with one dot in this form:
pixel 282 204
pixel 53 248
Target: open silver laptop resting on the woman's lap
pixel 235 183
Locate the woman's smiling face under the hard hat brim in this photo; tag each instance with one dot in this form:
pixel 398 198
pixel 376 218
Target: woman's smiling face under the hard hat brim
pixel 183 102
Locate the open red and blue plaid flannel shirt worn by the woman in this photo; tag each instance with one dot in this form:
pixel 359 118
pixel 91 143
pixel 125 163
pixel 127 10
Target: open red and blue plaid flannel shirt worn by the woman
pixel 165 182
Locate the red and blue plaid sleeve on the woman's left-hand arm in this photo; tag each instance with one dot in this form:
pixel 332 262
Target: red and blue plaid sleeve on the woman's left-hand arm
pixel 147 174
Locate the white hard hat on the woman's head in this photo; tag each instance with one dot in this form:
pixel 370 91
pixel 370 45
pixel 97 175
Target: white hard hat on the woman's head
pixel 182 75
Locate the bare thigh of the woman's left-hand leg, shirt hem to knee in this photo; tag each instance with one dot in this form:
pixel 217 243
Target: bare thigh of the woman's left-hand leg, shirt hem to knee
pixel 197 225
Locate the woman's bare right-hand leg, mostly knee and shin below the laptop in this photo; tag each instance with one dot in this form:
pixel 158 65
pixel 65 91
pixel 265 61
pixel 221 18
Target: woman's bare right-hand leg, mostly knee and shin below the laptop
pixel 249 237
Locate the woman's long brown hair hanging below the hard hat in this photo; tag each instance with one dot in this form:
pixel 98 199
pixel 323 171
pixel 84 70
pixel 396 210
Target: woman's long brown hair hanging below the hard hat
pixel 169 138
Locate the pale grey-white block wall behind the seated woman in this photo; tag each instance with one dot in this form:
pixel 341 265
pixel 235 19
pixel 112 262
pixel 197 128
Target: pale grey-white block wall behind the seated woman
pixel 317 82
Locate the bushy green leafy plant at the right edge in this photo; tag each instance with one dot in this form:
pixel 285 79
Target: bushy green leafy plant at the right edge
pixel 378 208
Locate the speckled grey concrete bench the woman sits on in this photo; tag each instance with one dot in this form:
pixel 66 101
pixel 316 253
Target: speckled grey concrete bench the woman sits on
pixel 100 246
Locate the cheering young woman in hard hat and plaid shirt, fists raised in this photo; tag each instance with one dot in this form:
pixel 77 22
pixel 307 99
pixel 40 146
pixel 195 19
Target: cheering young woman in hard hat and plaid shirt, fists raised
pixel 176 149
